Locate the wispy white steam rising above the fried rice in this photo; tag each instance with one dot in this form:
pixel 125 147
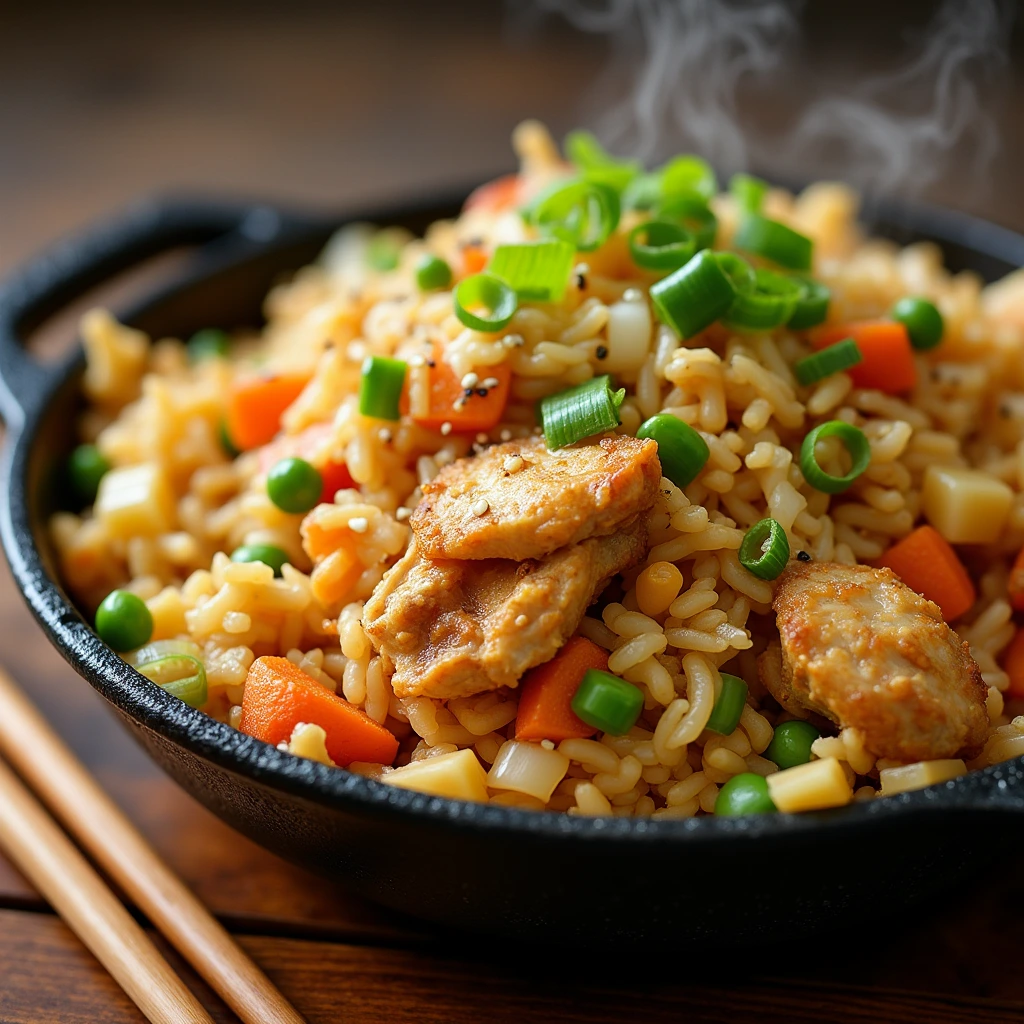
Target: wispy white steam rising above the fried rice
pixel 689 63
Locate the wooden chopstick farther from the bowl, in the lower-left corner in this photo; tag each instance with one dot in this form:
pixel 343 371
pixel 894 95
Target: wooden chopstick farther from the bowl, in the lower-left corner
pixel 71 886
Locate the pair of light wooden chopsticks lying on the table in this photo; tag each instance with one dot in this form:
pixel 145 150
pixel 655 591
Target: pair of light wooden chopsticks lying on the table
pixel 57 868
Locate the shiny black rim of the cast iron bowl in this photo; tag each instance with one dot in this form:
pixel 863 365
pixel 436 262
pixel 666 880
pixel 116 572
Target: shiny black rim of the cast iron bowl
pixel 147 707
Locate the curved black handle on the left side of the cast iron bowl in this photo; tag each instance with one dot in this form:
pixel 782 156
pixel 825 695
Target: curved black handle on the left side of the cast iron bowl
pixel 72 268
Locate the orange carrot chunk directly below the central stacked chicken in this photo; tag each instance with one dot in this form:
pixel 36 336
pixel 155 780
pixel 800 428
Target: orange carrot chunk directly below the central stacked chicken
pixel 547 692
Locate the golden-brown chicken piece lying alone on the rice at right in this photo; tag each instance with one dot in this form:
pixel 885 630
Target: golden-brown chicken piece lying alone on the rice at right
pixel 865 651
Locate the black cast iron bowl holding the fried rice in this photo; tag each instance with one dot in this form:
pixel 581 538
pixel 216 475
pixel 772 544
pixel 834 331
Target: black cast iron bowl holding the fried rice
pixel 545 877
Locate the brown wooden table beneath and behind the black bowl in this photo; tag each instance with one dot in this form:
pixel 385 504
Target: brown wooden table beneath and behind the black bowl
pixel 333 106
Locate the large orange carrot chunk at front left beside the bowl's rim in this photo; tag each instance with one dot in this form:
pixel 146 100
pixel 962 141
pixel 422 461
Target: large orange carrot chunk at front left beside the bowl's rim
pixel 279 696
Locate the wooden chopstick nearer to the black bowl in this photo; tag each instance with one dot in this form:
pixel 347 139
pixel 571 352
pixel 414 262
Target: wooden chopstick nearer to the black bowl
pixel 77 801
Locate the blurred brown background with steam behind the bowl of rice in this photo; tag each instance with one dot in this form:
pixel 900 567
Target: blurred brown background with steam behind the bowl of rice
pixel 335 104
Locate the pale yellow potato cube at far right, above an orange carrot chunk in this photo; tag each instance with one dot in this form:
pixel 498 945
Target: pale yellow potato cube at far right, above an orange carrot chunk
pixel 966 506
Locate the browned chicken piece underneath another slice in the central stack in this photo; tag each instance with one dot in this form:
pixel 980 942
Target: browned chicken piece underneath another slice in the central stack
pixel 453 629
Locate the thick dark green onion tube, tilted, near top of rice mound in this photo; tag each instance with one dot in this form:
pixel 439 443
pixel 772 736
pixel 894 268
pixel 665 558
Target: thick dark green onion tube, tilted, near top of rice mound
pixel 698 293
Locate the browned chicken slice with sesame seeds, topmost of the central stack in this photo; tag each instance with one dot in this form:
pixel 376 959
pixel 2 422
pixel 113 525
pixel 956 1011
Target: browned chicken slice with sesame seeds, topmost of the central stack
pixel 520 500
